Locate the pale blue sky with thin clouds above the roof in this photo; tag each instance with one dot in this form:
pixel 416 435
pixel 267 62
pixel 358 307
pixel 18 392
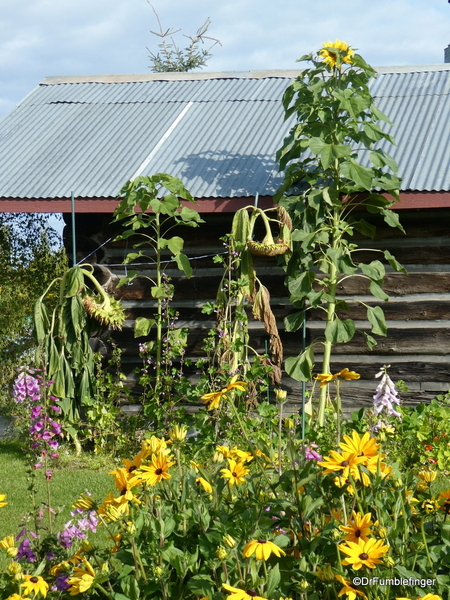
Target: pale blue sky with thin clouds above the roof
pixel 40 38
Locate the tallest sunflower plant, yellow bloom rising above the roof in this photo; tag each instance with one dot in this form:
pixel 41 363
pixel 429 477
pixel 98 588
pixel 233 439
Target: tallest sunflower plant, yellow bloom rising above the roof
pixel 336 128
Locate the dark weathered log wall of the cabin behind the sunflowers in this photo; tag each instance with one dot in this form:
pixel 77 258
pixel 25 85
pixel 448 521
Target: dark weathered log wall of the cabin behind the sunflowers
pixel 418 314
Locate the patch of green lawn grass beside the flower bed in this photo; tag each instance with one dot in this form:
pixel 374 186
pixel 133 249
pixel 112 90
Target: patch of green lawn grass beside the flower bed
pixel 71 477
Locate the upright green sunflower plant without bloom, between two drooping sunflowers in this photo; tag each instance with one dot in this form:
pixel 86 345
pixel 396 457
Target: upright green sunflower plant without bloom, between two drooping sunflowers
pixel 161 194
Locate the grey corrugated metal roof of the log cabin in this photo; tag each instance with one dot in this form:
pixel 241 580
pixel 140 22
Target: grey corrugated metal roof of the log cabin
pixel 219 134
